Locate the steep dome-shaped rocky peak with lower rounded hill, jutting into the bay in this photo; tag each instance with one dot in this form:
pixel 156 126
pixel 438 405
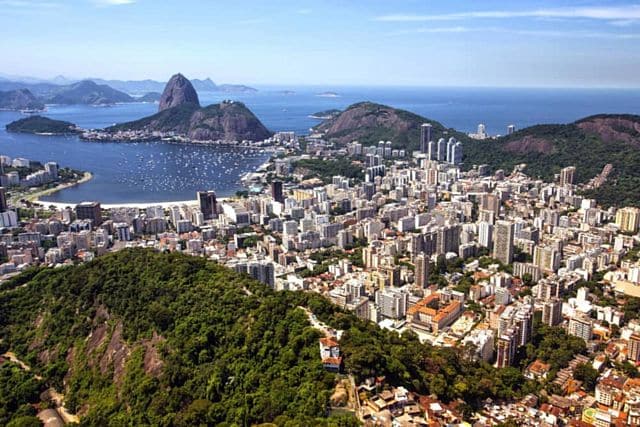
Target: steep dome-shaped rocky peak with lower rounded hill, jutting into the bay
pixel 180 112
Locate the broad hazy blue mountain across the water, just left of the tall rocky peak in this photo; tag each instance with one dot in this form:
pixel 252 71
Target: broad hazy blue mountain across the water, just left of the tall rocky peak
pixel 87 92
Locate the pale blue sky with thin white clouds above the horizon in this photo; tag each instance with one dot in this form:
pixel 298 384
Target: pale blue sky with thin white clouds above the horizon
pixel 523 43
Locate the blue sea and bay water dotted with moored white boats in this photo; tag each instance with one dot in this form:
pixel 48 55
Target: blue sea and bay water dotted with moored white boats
pixel 162 172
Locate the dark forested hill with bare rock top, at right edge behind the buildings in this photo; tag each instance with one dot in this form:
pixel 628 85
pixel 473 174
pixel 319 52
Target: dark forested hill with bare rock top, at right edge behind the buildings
pixel 588 144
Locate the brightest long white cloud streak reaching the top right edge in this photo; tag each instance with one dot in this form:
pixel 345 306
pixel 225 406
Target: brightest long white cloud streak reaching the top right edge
pixel 612 13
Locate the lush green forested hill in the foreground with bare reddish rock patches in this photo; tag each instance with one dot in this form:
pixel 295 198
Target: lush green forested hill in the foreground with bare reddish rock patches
pixel 144 338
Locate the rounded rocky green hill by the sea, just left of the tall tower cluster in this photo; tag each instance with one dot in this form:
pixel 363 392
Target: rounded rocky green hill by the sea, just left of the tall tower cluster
pixel 369 123
